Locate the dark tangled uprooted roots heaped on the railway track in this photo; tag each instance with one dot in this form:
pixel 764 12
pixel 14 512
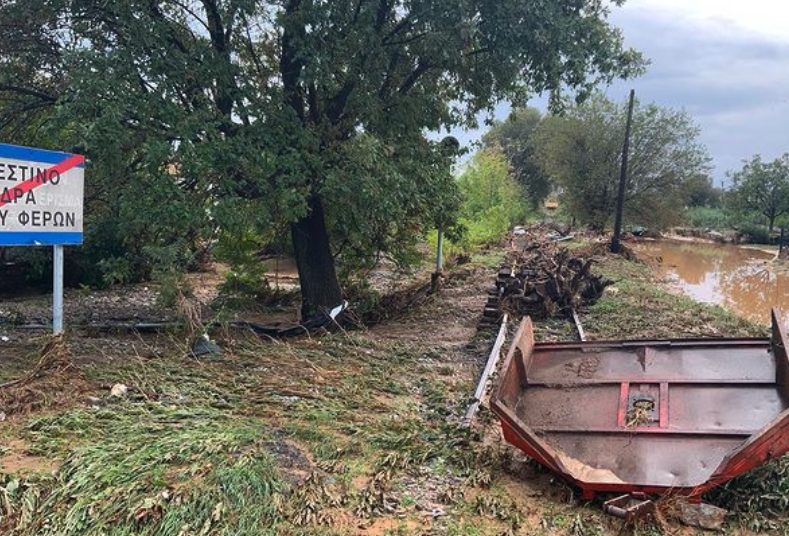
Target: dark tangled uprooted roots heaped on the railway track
pixel 545 280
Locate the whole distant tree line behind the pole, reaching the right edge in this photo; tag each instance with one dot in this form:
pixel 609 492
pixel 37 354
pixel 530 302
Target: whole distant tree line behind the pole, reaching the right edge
pixel 575 157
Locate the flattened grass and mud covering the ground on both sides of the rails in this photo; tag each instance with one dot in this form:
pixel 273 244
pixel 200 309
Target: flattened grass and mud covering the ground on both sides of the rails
pixel 350 433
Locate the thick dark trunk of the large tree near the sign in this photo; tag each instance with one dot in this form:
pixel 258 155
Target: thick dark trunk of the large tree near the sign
pixel 320 289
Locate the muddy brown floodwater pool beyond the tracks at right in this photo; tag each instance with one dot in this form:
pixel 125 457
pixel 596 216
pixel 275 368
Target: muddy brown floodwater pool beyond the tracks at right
pixel 746 281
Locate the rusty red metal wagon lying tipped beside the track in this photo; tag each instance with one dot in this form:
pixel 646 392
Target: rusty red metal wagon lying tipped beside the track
pixel 653 416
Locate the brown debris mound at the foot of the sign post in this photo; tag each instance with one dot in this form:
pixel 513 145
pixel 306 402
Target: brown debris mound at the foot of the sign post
pixel 44 385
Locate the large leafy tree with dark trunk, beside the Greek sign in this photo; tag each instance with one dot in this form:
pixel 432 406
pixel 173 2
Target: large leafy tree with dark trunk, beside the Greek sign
pixel 305 111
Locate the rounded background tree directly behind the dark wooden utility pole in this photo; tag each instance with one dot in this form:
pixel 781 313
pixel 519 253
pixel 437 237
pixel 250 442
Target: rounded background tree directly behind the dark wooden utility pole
pixel 582 152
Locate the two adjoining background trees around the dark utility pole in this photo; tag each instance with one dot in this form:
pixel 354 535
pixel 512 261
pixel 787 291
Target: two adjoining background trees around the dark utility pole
pixel 576 156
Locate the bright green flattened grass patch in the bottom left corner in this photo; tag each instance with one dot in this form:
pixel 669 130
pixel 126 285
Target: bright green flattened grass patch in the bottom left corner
pixel 148 469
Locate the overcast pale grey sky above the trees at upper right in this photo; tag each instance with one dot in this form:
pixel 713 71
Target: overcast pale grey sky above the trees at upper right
pixel 725 62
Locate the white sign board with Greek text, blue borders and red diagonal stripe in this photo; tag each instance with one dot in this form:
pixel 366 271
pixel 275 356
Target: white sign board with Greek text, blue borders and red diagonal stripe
pixel 41 197
